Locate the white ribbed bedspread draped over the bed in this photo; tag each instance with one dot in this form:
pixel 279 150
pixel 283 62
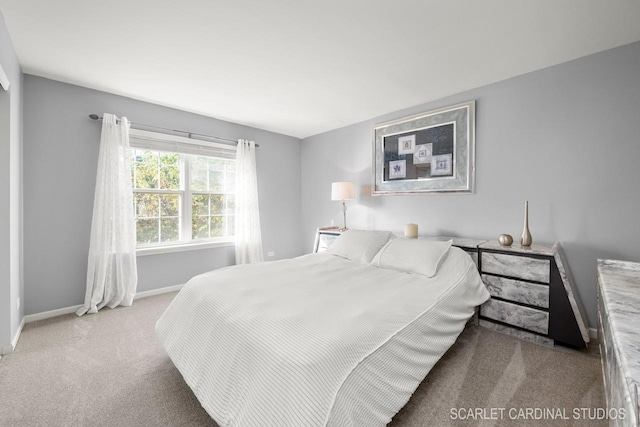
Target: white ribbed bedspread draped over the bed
pixel 316 340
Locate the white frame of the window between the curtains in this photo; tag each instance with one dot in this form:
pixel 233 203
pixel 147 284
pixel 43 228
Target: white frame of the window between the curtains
pixel 187 147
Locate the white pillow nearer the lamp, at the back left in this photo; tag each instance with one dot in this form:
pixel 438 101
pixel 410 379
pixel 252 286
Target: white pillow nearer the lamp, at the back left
pixel 359 245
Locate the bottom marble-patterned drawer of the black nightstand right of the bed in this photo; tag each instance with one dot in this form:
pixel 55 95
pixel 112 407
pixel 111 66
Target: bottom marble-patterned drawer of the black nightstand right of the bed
pixel 517 315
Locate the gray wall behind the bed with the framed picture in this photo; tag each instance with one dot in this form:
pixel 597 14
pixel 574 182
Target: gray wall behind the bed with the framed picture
pixel 565 138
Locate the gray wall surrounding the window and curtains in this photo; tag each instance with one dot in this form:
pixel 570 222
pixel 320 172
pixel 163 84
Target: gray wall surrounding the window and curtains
pixel 60 159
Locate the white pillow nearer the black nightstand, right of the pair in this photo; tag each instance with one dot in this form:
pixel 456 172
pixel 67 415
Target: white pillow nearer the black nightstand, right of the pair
pixel 413 255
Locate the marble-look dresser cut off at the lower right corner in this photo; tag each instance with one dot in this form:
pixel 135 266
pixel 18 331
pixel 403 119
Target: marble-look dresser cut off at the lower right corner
pixel 619 336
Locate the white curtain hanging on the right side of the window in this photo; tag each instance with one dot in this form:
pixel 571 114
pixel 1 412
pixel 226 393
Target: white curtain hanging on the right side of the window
pixel 247 233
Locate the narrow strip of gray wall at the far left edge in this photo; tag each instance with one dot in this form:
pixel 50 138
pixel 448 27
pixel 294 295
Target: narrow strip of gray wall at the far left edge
pixel 10 194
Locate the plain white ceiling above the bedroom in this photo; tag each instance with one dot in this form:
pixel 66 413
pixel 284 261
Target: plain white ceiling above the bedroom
pixel 302 67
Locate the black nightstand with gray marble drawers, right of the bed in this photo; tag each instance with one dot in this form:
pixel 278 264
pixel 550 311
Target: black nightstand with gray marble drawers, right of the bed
pixel 532 295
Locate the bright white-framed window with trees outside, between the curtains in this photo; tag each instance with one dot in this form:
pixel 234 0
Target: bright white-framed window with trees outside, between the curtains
pixel 183 192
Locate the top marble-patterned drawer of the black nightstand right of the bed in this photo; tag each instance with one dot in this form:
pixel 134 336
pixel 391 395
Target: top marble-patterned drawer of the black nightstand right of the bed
pixel 521 267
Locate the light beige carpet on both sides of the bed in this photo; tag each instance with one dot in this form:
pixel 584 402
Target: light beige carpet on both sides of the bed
pixel 108 369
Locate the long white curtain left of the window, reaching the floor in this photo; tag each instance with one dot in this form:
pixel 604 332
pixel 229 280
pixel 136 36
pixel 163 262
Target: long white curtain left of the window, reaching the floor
pixel 111 271
